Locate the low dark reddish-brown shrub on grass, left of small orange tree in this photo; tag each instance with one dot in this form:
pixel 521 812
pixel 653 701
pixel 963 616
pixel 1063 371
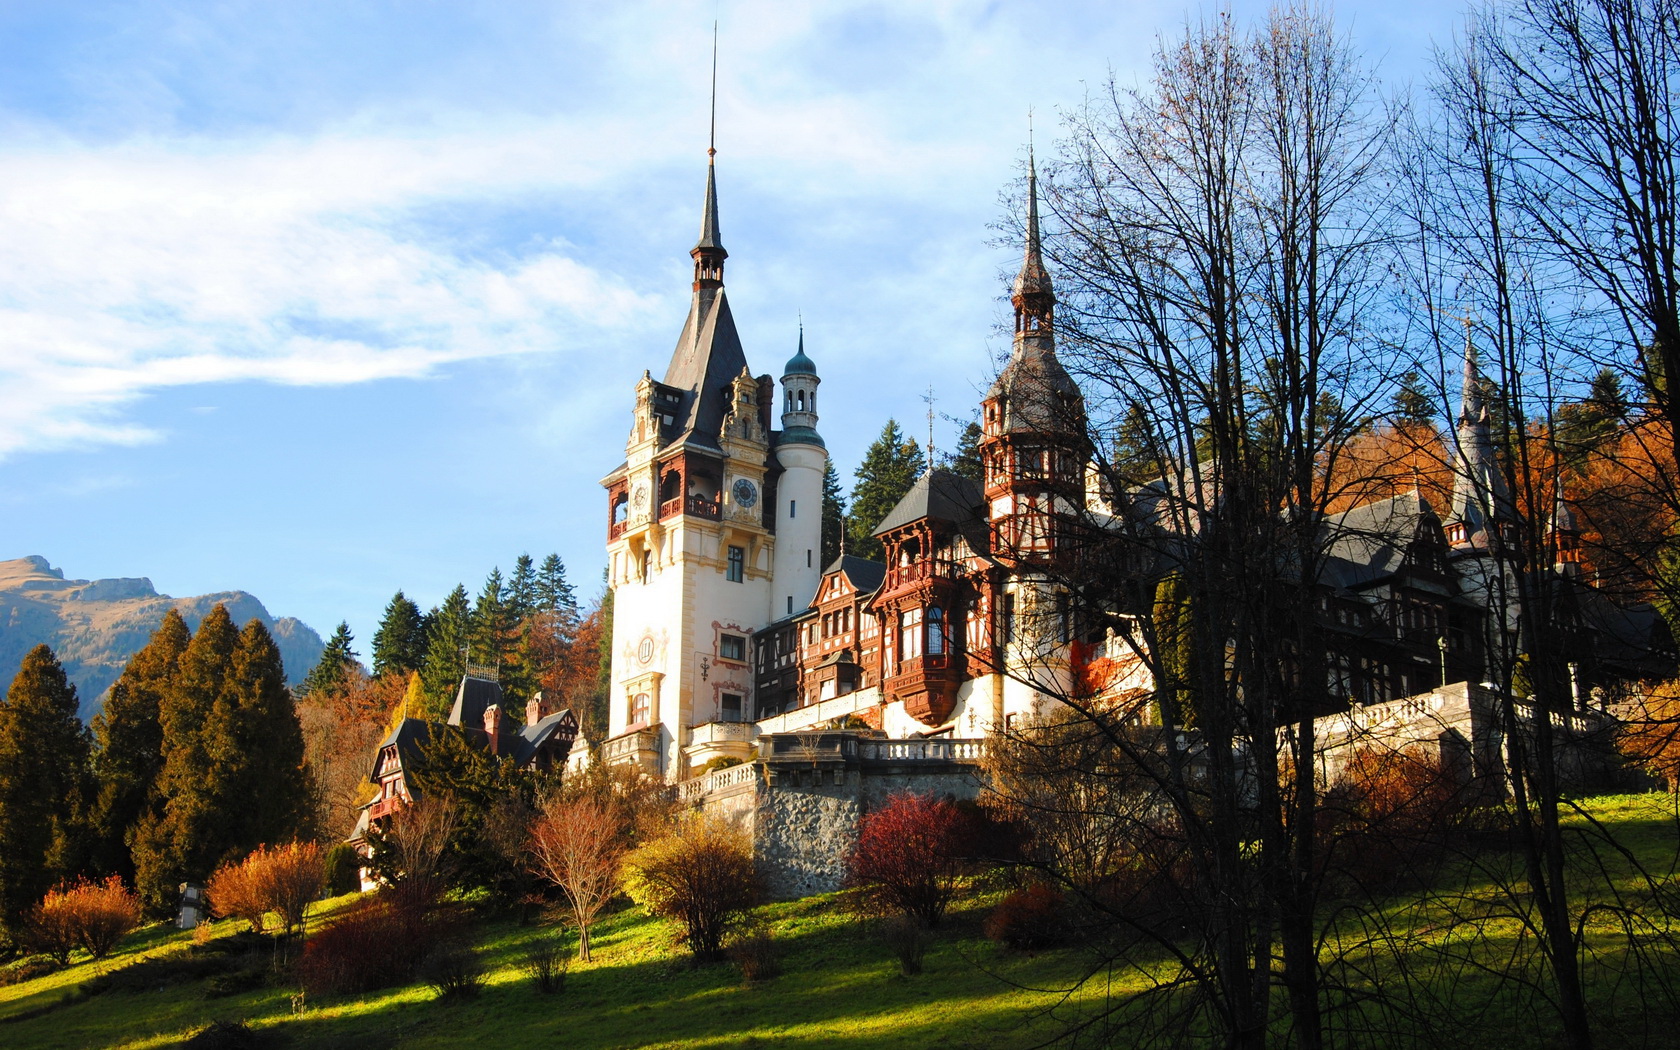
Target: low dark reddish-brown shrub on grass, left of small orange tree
pixel 374 945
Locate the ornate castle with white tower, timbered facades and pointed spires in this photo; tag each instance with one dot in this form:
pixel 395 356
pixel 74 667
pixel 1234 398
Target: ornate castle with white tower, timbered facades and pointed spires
pixel 728 629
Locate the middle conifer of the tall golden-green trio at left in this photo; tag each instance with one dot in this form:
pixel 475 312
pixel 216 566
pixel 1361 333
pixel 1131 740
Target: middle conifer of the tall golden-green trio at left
pixel 179 841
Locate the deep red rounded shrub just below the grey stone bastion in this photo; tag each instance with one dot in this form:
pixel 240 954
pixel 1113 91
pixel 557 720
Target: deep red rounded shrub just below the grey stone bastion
pixel 910 854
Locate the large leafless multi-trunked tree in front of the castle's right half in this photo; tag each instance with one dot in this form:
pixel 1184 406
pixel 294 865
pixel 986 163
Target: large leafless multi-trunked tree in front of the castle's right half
pixel 1222 253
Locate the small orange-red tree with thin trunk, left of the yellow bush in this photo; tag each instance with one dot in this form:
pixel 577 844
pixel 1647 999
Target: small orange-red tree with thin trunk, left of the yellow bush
pixel 579 844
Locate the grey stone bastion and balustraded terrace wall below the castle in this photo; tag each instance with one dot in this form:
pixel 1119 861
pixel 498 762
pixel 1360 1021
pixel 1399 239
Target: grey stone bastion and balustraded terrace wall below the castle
pixel 807 790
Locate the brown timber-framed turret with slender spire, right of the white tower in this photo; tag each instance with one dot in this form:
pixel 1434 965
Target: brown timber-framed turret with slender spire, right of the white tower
pixel 1034 443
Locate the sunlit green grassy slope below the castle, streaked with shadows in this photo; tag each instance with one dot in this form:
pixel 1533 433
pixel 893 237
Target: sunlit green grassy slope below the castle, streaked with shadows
pixel 839 987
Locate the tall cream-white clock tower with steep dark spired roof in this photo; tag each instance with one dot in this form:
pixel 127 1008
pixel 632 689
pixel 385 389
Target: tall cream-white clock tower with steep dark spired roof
pixel 690 547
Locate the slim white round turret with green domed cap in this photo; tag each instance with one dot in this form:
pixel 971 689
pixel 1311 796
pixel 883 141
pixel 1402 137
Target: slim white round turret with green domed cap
pixel 804 461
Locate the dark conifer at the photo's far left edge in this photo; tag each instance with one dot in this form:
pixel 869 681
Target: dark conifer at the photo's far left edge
pixel 45 785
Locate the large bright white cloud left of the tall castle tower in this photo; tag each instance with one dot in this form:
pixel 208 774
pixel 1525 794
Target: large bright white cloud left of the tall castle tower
pixel 149 265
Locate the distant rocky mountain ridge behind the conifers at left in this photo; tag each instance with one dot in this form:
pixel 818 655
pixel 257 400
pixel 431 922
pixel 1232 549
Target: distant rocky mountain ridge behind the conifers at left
pixel 97 626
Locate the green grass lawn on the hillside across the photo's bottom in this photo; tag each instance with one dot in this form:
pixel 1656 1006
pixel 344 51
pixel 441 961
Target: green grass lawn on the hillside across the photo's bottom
pixel 841 987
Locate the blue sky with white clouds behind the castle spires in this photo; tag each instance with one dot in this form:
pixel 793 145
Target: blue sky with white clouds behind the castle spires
pixel 328 300
